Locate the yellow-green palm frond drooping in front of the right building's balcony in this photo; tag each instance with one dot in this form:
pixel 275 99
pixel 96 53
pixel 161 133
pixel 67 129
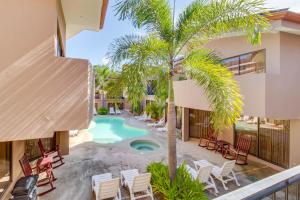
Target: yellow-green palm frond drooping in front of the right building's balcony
pixel 219 86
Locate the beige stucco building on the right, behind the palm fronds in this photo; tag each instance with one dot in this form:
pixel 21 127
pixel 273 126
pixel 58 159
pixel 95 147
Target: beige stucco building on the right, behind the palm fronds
pixel 268 76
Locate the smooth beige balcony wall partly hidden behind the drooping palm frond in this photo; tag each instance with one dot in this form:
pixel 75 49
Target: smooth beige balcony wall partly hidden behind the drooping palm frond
pixel 188 94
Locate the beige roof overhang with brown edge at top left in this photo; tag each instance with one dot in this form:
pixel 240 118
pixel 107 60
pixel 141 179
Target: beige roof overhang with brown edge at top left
pixel 83 15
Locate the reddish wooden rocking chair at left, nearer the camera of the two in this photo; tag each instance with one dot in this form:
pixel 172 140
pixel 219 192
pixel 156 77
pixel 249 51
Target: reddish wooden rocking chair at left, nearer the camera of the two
pixel 47 172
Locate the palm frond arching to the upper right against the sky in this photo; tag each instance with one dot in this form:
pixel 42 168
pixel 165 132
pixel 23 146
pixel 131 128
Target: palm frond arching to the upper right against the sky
pixel 204 20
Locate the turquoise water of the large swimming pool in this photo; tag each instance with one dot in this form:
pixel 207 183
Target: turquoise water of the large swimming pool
pixel 113 129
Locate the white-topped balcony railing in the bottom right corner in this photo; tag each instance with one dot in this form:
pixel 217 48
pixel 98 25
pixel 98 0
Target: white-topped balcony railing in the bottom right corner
pixel 284 185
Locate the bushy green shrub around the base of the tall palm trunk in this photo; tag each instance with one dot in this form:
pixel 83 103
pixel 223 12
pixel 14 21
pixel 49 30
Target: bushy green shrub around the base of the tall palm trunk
pixel 183 186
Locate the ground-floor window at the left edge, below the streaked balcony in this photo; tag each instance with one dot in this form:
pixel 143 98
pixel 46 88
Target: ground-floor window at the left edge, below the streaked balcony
pixel 5 166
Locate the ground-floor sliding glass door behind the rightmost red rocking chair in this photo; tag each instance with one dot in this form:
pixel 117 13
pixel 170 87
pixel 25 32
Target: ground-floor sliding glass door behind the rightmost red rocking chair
pixel 270 138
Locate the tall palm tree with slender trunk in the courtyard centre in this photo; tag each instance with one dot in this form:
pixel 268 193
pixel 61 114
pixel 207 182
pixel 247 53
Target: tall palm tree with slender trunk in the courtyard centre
pixel 167 39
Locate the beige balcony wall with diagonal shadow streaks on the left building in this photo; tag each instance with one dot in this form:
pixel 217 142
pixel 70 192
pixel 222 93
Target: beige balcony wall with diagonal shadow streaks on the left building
pixel 40 94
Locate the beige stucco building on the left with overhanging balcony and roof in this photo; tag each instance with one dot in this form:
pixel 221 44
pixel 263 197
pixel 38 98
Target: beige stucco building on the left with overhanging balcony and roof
pixel 42 92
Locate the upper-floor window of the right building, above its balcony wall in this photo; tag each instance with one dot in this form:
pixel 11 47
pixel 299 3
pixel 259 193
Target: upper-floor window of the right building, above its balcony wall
pixel 254 62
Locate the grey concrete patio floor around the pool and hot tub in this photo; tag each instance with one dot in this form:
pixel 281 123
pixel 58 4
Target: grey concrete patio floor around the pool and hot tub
pixel 88 158
